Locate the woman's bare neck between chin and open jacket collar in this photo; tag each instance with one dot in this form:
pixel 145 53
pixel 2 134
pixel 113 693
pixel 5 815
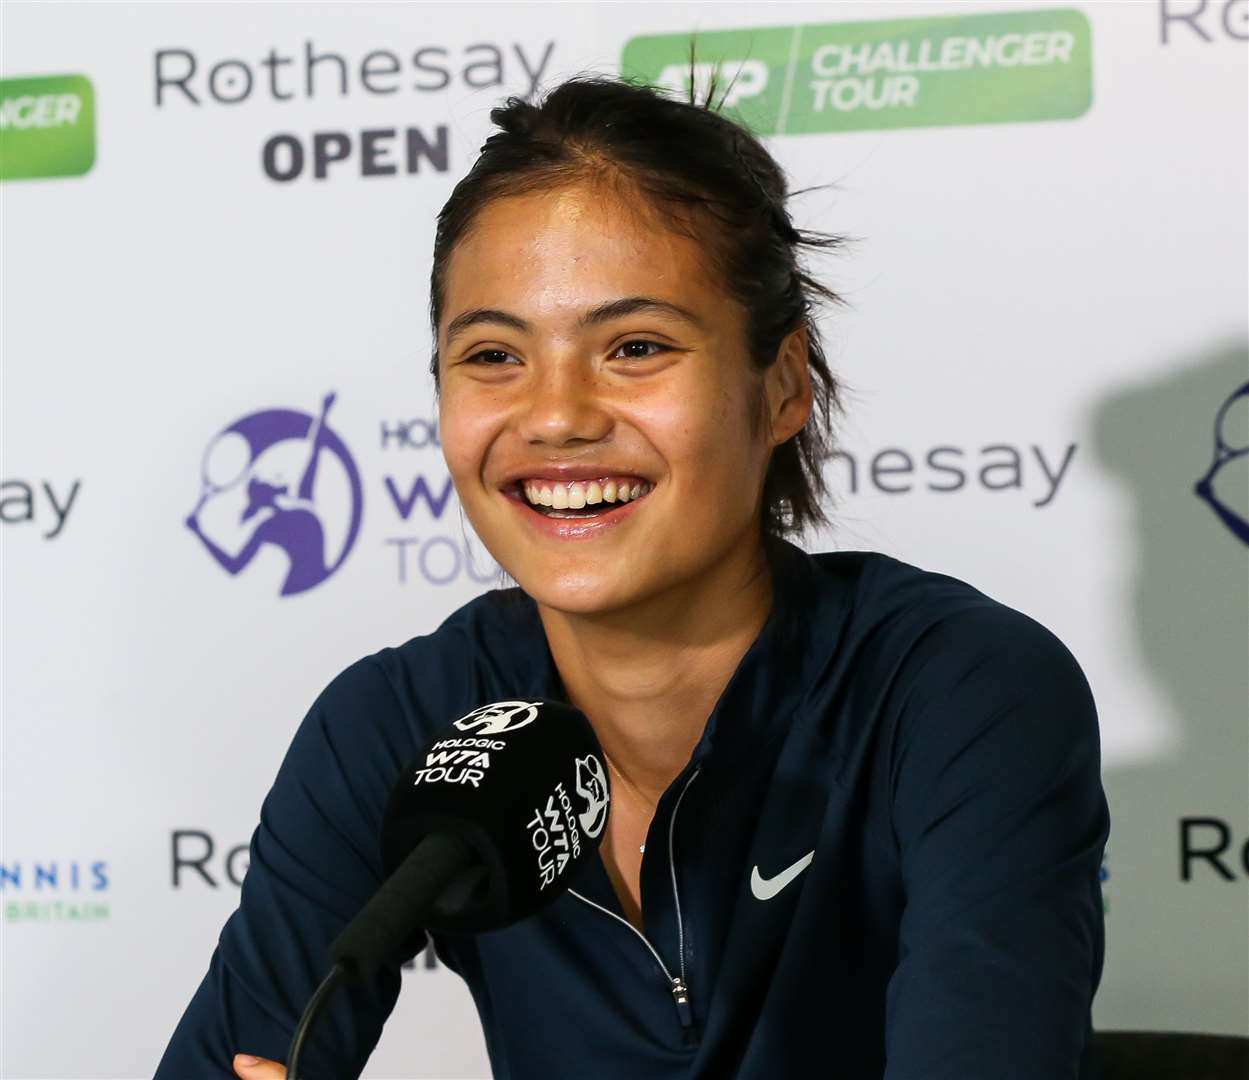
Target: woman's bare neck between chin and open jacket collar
pixel 649 677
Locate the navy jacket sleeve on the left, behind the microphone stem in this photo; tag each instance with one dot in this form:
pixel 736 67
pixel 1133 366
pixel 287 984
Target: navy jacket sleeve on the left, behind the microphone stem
pixel 314 863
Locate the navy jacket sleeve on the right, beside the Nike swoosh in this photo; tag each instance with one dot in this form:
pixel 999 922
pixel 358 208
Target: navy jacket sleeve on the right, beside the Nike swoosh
pixel 1001 823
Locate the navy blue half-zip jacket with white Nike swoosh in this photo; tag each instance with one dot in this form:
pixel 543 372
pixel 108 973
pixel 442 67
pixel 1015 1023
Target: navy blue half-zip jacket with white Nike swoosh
pixel 881 861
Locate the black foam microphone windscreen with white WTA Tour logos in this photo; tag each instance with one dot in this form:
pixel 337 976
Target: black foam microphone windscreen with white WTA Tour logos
pixel 525 786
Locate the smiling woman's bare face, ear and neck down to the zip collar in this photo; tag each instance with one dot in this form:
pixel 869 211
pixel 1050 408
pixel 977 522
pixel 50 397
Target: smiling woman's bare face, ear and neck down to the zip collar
pixel 588 350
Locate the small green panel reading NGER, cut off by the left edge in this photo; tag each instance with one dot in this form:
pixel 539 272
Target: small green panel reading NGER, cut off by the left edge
pixel 47 127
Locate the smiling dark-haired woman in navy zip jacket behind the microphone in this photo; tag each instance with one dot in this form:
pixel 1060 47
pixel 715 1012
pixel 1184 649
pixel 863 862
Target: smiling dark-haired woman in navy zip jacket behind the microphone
pixel 857 817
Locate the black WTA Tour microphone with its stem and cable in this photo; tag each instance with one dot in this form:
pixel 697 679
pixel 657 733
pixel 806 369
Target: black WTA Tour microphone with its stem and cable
pixel 484 830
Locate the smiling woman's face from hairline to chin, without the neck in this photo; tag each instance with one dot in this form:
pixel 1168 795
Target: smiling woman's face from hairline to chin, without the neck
pixel 540 375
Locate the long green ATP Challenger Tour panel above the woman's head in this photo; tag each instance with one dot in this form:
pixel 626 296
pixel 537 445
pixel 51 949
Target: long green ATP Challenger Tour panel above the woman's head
pixel 896 73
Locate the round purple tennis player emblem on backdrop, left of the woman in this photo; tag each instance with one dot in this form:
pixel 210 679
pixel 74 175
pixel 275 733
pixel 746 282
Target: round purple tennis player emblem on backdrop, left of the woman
pixel 280 483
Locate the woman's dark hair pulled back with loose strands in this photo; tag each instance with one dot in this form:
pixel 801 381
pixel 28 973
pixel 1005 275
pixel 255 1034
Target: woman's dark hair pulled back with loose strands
pixel 711 180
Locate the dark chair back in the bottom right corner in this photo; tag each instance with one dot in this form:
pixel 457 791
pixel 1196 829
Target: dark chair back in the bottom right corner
pixel 1171 1056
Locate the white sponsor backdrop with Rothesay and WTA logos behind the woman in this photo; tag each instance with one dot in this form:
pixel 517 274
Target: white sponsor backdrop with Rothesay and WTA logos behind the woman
pixel 218 224
